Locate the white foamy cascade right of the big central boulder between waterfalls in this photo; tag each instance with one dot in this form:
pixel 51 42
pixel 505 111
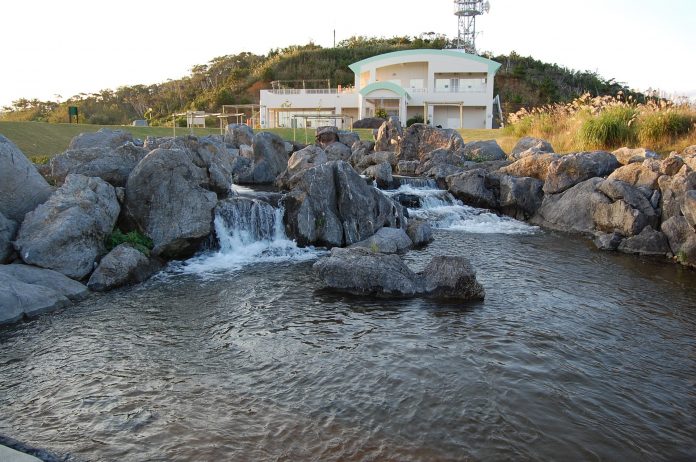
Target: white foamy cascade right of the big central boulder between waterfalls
pixel 444 211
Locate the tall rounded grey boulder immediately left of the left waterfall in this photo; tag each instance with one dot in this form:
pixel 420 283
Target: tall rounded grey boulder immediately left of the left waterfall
pixel 165 201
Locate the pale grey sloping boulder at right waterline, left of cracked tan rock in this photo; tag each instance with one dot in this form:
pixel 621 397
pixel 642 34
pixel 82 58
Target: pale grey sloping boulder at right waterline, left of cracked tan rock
pixel 571 210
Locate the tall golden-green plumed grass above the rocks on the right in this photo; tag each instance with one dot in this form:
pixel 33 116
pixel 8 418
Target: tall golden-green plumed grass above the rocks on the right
pixel 608 122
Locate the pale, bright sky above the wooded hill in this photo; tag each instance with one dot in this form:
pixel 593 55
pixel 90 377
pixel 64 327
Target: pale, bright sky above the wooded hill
pixel 52 48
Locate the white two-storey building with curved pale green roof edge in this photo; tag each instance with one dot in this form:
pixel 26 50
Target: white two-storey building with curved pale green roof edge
pixel 454 89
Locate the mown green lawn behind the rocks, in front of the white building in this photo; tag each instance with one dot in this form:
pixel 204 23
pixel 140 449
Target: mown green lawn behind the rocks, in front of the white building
pixel 39 139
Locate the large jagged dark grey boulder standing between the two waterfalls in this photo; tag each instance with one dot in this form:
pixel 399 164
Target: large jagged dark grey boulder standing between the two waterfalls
pixel 332 205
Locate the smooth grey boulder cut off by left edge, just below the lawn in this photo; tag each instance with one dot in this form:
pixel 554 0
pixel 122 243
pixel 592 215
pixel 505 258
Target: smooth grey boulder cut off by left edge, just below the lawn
pixel 22 188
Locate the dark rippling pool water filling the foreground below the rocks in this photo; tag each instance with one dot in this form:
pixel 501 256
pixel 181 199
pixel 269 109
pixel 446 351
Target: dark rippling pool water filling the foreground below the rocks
pixel 574 355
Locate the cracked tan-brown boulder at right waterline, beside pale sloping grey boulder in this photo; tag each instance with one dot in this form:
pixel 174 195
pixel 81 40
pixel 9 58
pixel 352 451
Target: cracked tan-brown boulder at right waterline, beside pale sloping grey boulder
pixel 628 211
